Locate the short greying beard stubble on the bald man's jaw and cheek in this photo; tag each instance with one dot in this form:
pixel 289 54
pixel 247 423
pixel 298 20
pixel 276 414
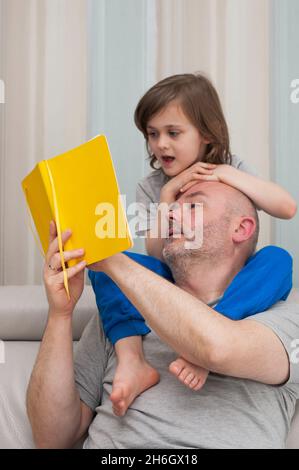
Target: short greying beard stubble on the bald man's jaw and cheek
pixel 214 250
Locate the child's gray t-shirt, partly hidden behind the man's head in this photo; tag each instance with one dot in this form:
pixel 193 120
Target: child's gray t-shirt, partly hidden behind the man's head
pixel 148 194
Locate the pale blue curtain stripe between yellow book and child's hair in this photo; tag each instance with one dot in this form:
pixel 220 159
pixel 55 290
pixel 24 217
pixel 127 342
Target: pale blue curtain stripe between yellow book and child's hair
pixel 122 65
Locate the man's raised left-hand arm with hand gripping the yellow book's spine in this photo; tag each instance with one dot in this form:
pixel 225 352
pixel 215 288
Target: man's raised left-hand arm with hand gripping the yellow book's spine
pixel 58 417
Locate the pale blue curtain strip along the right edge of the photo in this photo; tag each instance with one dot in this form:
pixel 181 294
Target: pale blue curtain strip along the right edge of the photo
pixel 285 116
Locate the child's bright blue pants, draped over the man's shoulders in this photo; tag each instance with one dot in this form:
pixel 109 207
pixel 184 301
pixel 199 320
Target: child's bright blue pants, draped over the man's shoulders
pixel 265 279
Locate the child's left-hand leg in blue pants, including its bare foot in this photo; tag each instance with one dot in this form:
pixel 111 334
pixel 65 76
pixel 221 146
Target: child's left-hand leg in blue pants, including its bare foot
pixel 124 326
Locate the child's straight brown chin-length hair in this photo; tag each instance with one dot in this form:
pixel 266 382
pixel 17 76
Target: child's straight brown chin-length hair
pixel 200 103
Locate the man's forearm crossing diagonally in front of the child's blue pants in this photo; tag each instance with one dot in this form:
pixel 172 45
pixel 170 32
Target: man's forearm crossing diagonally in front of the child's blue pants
pixel 189 326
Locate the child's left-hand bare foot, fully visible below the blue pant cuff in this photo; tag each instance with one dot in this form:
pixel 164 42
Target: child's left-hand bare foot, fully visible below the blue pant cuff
pixel 130 380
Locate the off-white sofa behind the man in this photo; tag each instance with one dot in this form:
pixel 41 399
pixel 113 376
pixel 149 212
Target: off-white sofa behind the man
pixel 23 313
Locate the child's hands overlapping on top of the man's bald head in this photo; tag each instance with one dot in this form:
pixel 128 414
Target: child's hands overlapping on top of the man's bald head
pixel 200 171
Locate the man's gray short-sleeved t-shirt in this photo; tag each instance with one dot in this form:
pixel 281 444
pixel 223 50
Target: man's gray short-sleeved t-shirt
pixel 226 413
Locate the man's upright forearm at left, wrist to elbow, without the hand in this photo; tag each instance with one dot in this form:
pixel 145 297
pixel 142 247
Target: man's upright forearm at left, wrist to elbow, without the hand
pixel 53 403
